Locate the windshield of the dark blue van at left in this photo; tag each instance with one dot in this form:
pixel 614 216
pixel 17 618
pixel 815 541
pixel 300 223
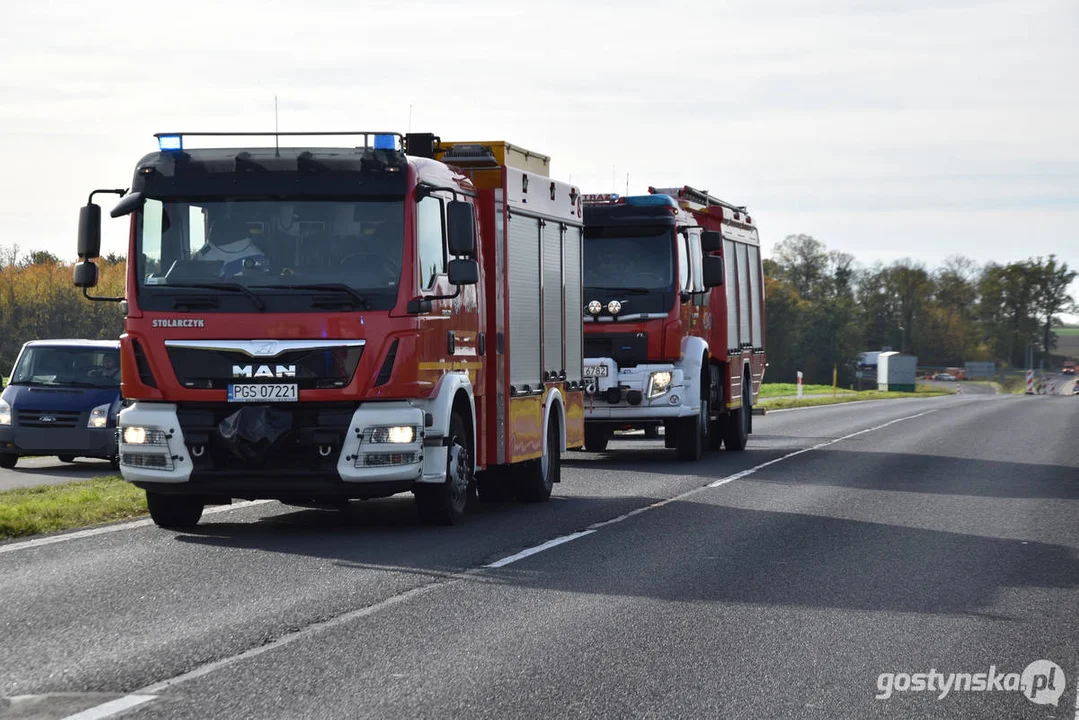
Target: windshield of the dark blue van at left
pixel 90 368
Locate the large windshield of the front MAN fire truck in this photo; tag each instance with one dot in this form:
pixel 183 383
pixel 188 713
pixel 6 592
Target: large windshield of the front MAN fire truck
pixel 271 242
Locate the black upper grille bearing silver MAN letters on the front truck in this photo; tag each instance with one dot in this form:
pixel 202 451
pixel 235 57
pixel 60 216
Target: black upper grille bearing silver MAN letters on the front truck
pixel 213 370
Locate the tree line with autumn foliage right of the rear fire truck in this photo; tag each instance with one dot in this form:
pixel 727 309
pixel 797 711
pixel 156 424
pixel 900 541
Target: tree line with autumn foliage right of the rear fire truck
pixel 823 310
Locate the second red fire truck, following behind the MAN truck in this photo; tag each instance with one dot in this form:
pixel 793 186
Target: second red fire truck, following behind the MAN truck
pixel 674 319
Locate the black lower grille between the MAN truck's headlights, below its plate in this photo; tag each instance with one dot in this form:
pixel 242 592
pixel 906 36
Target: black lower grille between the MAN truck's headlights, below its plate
pixel 311 436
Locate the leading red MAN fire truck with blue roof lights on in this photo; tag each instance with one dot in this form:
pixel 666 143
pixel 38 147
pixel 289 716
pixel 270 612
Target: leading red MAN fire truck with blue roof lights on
pixel 316 324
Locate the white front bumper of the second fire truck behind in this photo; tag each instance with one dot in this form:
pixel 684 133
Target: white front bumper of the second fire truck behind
pixel 627 385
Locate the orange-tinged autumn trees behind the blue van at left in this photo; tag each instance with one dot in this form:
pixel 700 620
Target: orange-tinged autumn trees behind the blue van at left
pixel 38 302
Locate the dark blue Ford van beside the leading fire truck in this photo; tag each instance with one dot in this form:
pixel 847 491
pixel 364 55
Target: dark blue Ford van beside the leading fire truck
pixel 63 401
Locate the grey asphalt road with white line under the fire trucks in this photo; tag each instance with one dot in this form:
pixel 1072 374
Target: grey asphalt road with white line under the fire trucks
pixel 896 537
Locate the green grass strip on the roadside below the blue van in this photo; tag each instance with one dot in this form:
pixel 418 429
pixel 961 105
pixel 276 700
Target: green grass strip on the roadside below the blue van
pixel 51 508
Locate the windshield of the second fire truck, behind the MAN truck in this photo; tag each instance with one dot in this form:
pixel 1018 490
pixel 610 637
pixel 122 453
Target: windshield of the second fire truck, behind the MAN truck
pixel 630 257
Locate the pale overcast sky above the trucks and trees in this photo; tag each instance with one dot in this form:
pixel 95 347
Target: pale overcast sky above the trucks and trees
pixel 883 130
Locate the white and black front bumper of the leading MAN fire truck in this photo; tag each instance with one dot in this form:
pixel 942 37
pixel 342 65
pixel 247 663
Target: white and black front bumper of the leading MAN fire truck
pixel 324 452
